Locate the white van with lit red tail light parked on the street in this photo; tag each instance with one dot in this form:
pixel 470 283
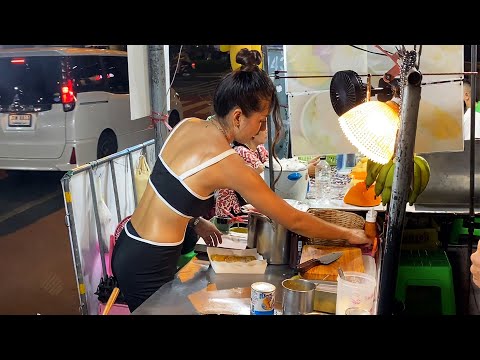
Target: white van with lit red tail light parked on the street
pixel 63 107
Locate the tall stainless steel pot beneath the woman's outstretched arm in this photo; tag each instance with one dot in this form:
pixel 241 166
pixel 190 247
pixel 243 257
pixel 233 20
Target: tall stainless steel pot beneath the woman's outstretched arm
pixel 270 239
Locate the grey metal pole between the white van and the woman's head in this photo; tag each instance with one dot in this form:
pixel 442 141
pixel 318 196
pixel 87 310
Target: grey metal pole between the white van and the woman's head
pixel 158 91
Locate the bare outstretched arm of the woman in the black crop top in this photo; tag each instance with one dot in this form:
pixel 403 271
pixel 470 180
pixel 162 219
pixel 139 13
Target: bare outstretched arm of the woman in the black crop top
pixel 245 181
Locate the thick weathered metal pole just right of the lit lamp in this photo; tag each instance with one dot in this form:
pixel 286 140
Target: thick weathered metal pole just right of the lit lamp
pixel 400 188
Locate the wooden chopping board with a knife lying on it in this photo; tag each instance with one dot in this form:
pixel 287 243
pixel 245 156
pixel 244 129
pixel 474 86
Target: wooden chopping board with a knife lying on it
pixel 351 260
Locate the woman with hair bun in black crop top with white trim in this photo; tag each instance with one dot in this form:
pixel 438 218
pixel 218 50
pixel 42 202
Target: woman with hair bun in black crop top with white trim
pixel 195 160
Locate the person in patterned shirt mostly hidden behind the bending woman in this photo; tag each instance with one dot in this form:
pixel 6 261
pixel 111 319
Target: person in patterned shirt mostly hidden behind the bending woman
pixel 227 201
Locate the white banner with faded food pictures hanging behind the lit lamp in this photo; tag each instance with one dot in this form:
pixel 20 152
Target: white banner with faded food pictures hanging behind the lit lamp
pixel 314 124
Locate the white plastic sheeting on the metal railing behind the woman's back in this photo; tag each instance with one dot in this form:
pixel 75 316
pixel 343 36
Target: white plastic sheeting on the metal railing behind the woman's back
pixel 85 237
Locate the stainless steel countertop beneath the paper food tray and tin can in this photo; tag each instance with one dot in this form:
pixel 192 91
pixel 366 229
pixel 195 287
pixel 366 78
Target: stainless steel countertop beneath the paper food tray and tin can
pixel 197 289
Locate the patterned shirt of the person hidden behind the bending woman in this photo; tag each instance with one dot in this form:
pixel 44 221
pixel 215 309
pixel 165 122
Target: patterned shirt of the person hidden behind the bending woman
pixel 226 200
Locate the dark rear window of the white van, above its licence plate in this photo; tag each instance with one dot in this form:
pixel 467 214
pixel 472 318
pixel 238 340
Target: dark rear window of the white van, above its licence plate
pixel 29 83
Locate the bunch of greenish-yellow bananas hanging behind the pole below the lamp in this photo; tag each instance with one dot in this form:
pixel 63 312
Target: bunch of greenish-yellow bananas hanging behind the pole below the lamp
pixel 382 176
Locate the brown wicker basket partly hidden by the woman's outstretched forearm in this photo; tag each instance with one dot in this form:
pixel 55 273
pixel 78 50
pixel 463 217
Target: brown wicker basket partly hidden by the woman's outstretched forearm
pixel 337 217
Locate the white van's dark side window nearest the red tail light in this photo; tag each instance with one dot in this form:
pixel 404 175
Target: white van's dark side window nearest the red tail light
pixel 87 73
